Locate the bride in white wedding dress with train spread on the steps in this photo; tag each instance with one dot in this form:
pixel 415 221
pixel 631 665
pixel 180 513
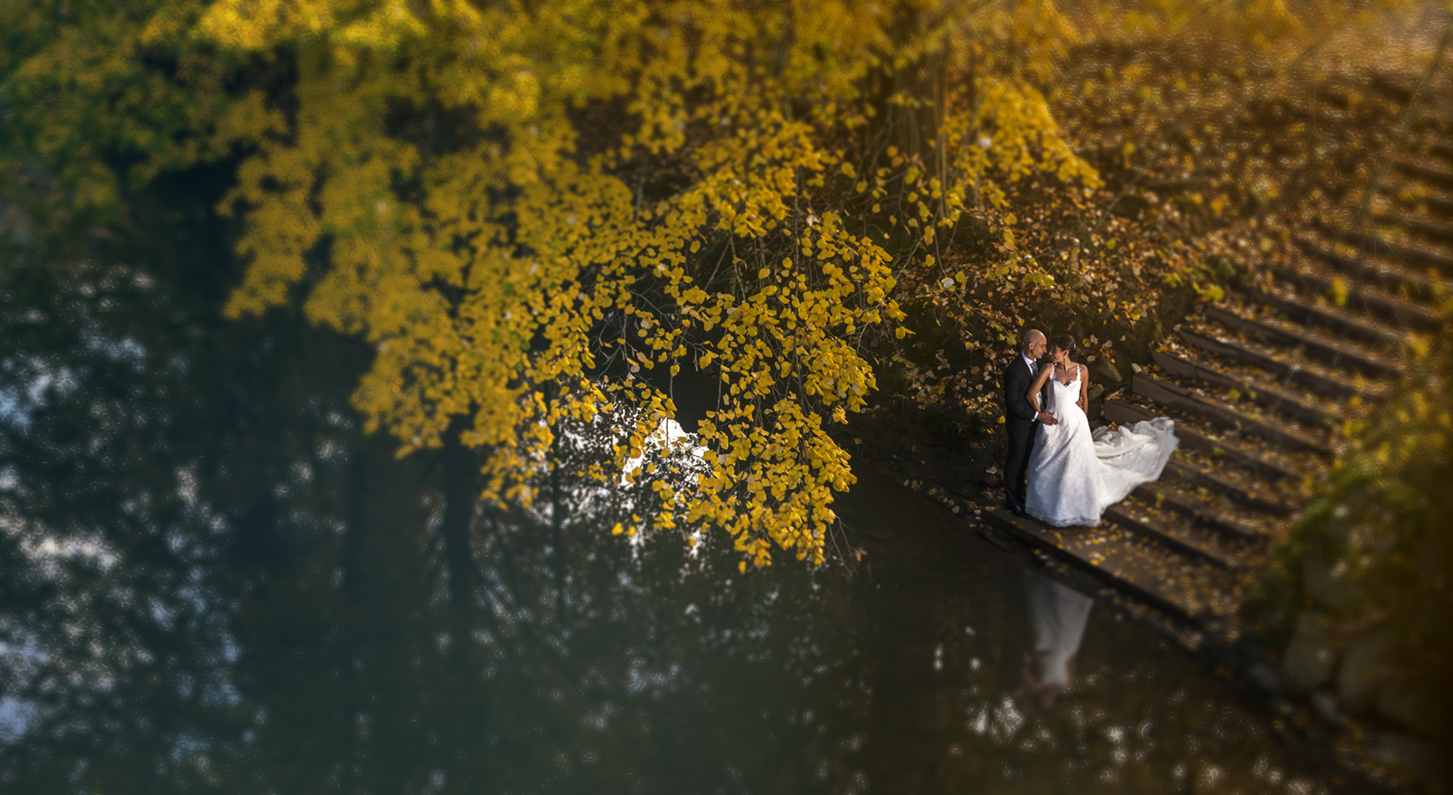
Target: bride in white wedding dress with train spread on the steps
pixel 1076 475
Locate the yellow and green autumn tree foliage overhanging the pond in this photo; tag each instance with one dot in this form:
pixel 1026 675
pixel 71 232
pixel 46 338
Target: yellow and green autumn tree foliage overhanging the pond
pixel 541 214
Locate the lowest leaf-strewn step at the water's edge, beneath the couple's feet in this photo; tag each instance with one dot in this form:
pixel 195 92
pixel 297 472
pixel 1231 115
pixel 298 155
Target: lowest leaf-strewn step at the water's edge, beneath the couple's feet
pixel 1181 585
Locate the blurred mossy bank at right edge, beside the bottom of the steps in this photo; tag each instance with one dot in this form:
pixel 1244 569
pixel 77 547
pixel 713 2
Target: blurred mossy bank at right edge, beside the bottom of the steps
pixel 1358 595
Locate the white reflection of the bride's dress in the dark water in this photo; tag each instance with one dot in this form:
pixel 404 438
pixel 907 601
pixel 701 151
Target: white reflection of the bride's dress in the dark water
pixel 1057 620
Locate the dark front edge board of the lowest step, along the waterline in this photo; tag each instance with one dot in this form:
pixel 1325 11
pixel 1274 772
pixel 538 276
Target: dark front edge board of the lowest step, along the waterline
pixel 1112 566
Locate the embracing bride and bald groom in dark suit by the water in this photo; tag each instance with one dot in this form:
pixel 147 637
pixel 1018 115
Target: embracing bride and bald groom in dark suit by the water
pixel 1057 470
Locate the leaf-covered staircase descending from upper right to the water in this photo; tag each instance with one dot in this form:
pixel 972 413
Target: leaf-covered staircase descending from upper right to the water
pixel 1262 389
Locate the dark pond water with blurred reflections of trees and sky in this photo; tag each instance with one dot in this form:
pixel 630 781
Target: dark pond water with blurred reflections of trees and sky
pixel 211 581
